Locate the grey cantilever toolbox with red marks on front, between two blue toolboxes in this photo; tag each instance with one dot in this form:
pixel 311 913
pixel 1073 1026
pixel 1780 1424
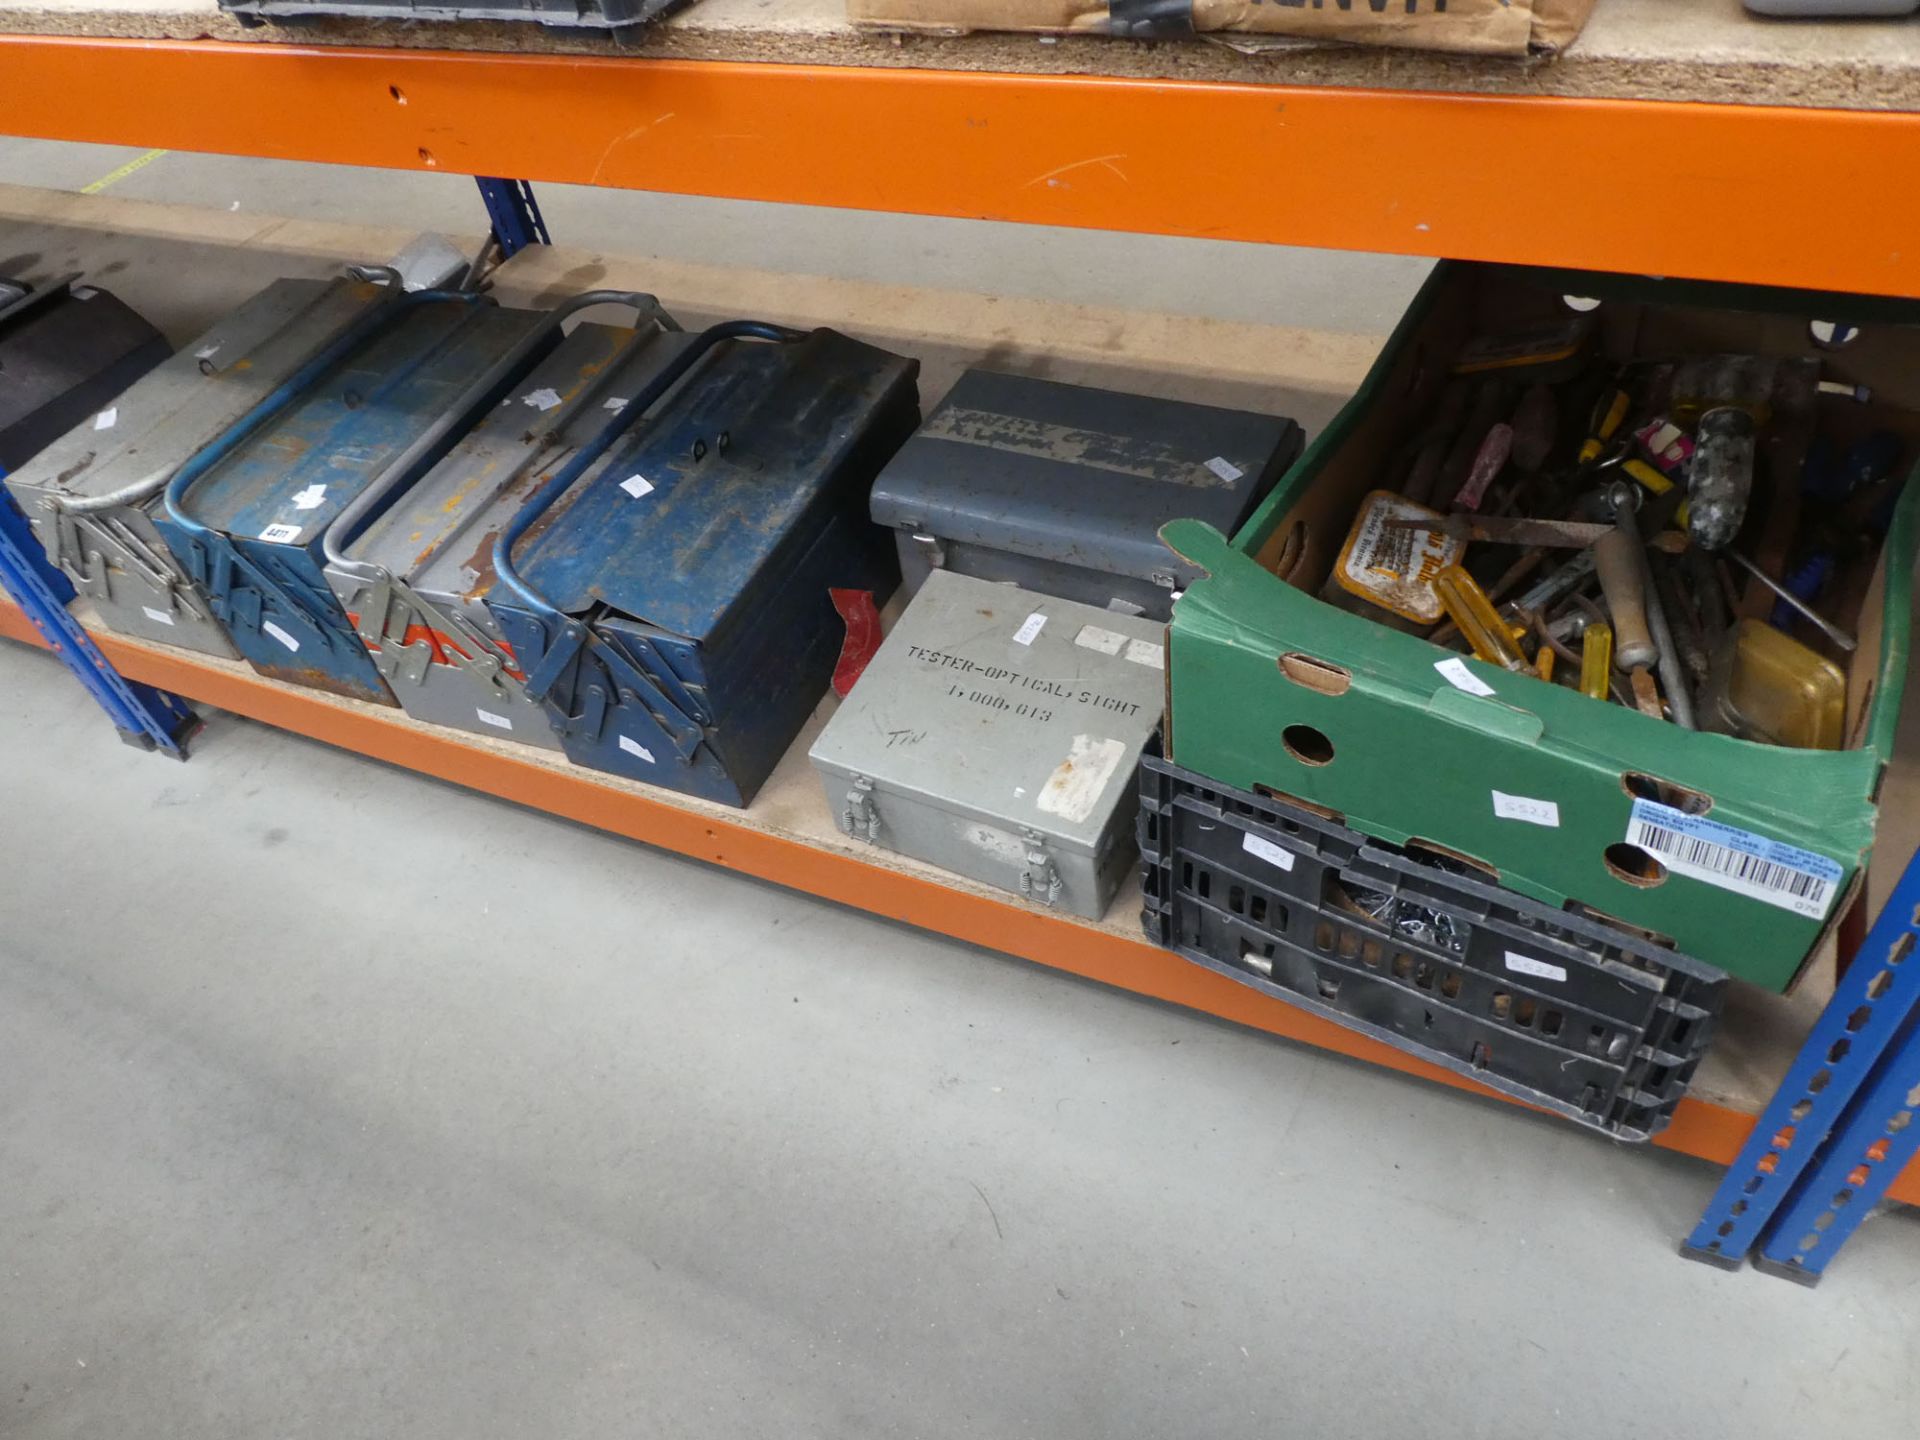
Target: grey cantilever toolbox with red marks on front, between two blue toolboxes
pixel 416 581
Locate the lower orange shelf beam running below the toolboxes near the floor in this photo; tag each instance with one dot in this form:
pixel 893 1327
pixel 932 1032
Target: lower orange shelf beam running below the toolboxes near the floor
pixel 660 819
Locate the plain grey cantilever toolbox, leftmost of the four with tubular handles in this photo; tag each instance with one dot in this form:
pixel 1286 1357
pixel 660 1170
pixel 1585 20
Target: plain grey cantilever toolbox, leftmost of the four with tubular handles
pixel 93 494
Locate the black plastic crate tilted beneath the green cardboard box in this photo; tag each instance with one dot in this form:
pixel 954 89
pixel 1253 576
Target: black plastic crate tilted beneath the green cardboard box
pixel 1556 1009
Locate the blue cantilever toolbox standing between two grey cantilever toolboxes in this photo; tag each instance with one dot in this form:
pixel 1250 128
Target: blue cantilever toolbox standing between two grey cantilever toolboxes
pixel 247 516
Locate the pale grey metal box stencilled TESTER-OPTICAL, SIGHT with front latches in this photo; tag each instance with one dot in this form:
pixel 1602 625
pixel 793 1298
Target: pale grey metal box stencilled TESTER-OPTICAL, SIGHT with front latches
pixel 996 734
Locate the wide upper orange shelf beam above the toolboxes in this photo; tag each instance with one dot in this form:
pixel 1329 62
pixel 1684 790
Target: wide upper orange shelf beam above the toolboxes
pixel 1731 193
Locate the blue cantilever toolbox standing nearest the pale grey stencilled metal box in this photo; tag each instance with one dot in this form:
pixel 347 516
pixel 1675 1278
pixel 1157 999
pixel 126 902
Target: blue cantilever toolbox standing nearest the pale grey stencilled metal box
pixel 669 602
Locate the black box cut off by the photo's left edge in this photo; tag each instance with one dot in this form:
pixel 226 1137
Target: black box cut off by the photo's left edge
pixel 66 352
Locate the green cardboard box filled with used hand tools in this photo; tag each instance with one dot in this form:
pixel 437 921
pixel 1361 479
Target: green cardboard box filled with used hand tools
pixel 1598 585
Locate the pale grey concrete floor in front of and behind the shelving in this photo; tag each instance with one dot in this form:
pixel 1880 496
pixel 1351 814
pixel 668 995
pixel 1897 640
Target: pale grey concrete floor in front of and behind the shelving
pixel 341 1103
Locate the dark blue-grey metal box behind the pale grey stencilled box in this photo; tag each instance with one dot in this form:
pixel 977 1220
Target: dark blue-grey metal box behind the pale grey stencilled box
pixel 1065 489
